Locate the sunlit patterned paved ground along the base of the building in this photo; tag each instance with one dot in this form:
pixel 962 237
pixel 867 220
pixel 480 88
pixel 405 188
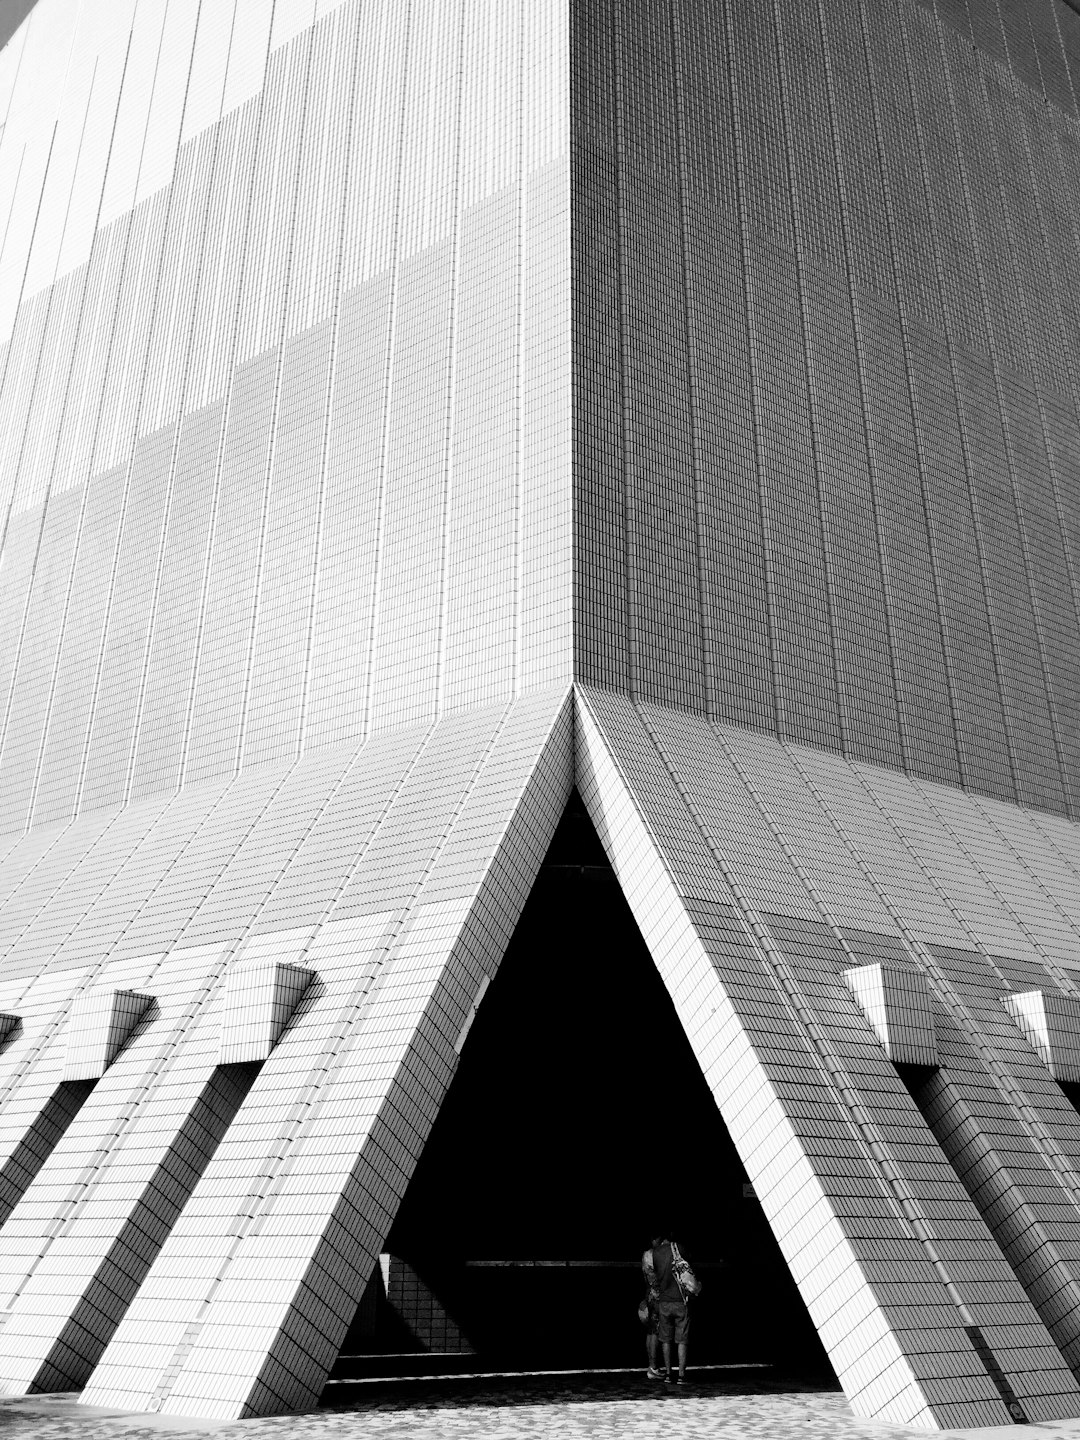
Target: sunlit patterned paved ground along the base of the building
pixel 580 1408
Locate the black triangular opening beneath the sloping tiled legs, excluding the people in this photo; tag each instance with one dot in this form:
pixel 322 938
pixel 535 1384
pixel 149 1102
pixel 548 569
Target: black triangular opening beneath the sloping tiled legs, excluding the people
pixel 577 1128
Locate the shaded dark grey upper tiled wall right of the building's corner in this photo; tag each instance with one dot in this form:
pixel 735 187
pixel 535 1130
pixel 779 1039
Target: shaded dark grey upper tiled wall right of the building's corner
pixel 826 385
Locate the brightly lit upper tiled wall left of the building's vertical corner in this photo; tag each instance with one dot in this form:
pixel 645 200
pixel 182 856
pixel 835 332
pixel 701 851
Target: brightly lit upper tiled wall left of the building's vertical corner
pixel 286 453
